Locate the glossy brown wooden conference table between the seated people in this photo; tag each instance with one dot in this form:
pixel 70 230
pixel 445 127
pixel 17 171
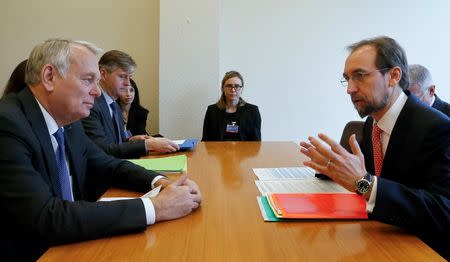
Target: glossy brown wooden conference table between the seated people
pixel 229 227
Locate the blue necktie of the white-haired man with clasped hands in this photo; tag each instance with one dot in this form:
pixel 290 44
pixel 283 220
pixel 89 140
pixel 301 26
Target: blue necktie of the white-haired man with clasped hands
pixel 61 164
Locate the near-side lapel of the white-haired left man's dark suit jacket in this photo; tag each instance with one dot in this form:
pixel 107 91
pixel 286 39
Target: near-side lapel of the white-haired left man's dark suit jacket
pixel 34 115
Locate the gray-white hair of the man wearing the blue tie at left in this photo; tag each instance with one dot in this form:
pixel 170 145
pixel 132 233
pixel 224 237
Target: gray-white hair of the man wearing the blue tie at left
pixel 56 52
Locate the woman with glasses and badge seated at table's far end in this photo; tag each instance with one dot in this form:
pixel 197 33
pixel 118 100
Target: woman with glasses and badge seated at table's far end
pixel 231 118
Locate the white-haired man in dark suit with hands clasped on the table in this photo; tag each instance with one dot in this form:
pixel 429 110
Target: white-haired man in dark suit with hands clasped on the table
pixel 48 163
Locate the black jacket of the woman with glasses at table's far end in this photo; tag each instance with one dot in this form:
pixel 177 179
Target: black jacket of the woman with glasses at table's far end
pixel 249 119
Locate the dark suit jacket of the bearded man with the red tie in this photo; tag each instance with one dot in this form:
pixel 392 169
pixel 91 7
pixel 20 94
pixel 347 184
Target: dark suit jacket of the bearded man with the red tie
pixel 414 186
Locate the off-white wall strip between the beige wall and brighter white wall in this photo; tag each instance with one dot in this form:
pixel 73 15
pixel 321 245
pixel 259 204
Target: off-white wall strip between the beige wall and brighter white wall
pixel 189 64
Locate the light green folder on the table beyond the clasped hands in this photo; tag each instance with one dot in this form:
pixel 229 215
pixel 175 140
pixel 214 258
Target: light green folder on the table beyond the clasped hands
pixel 172 164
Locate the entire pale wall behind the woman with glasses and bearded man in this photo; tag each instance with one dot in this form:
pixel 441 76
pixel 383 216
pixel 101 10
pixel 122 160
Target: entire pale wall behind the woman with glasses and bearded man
pixel 291 54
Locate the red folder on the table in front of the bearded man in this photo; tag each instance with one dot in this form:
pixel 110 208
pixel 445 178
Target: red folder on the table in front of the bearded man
pixel 318 205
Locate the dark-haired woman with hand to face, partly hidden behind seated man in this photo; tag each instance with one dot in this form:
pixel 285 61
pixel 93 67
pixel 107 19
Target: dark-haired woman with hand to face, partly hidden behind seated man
pixel 134 115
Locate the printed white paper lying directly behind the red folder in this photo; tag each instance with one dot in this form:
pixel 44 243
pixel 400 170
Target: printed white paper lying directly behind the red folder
pixel 313 185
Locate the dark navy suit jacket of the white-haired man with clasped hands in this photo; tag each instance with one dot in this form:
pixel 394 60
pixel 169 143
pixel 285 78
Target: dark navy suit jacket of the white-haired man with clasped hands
pixel 34 216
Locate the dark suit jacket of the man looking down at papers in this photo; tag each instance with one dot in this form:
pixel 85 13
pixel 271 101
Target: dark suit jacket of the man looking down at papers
pixel 98 126
